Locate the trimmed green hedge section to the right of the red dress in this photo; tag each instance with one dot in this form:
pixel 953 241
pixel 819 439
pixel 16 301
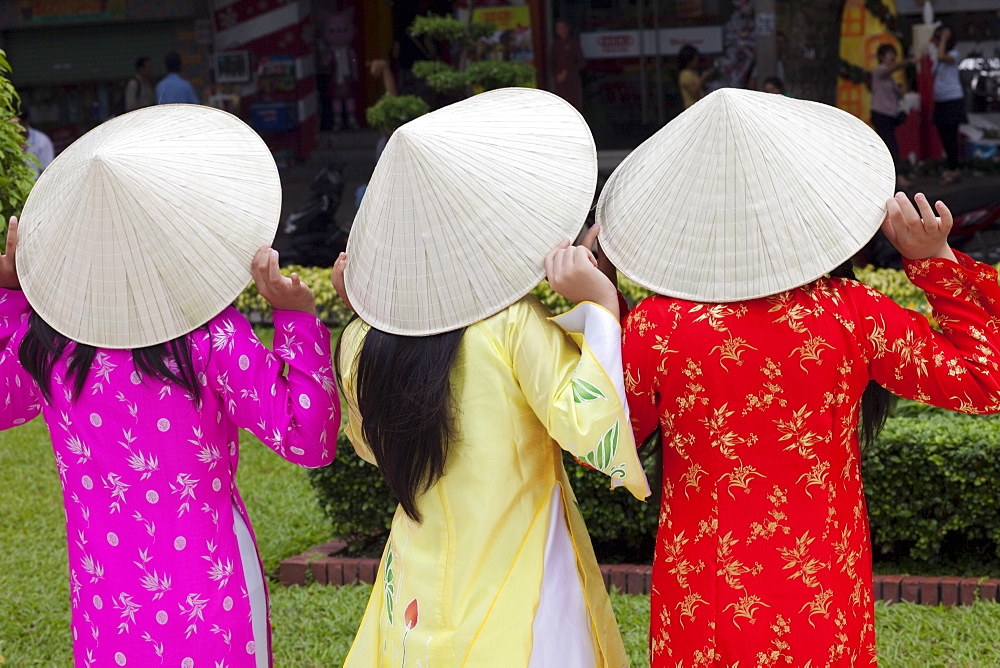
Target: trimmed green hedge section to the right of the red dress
pixel 931 478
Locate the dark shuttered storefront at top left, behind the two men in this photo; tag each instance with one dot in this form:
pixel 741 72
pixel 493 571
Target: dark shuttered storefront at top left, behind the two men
pixel 71 59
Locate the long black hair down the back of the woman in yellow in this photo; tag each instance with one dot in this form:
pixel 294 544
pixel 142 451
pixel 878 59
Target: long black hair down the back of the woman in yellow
pixel 408 416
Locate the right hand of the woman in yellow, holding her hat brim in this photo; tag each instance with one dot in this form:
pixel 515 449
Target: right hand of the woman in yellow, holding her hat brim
pixel 573 273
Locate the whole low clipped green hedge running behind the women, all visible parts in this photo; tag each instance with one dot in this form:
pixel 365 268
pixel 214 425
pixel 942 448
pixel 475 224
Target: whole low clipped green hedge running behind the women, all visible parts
pixel 928 477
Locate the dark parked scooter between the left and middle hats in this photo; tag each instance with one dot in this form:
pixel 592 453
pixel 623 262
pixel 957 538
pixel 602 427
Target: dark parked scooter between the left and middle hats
pixel 315 239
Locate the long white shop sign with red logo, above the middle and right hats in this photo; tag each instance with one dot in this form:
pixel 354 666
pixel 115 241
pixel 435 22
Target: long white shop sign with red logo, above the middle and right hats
pixel 626 43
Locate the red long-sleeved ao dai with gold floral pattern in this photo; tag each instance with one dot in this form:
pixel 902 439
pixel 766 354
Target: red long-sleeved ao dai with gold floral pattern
pixel 763 554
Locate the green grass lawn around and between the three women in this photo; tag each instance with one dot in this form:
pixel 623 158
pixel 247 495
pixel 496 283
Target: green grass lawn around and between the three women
pixel 313 626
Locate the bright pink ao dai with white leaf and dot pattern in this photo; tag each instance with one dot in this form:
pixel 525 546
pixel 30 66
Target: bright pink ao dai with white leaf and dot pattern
pixel 154 520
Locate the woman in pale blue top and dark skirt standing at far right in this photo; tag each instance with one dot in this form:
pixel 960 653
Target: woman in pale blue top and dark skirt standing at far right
pixel 949 98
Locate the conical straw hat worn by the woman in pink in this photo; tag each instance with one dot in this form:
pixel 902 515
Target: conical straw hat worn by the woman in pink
pixel 145 228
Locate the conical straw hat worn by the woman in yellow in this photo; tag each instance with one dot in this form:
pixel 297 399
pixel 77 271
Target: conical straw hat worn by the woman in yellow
pixel 463 206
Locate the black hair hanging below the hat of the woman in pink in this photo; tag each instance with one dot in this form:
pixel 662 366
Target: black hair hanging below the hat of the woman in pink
pixel 42 346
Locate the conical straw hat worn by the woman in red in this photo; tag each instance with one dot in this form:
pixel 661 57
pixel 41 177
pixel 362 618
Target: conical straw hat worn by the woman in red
pixel 745 195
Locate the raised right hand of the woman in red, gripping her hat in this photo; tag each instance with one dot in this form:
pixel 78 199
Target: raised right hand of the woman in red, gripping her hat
pixel 918 236
